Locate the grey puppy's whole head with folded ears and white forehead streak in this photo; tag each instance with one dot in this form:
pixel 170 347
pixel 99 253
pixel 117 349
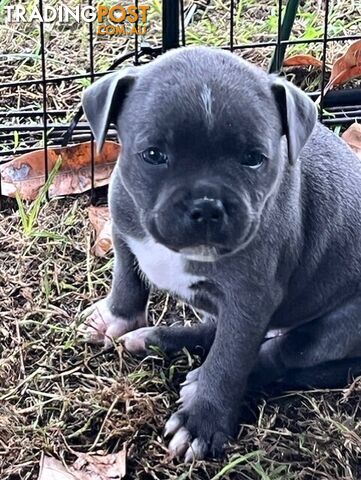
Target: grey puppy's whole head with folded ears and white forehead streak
pixel 201 133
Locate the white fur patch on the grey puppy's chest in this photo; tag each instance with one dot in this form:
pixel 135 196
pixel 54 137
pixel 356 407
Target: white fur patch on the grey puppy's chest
pixel 163 268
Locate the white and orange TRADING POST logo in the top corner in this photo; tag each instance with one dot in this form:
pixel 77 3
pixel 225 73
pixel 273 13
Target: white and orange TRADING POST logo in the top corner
pixel 111 20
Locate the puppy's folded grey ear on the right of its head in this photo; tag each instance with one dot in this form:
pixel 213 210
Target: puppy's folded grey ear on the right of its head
pixel 298 115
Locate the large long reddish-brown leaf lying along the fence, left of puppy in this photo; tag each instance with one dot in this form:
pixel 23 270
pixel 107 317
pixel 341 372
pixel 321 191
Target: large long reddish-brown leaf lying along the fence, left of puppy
pixel 26 174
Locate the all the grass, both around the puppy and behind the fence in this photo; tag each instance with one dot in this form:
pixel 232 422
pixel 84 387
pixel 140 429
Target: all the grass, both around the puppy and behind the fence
pixel 60 396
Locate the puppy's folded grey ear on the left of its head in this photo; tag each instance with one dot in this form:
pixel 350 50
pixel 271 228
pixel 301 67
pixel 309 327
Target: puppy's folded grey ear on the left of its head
pixel 103 100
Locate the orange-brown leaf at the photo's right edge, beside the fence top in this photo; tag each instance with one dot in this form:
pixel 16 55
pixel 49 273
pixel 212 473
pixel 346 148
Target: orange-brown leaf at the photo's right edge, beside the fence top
pixel 346 67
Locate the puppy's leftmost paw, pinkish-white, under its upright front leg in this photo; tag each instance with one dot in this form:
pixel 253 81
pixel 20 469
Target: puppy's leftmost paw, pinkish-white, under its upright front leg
pixel 100 325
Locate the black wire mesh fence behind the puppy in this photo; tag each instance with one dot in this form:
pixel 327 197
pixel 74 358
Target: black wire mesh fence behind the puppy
pixel 40 109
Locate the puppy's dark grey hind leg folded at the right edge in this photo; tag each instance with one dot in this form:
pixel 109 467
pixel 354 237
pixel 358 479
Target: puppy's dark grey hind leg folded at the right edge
pixel 322 353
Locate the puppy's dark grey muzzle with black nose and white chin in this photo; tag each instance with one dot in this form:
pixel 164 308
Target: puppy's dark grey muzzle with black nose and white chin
pixel 202 215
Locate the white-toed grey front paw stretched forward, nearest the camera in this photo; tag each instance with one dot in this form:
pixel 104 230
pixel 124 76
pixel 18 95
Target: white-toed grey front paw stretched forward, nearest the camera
pixel 199 428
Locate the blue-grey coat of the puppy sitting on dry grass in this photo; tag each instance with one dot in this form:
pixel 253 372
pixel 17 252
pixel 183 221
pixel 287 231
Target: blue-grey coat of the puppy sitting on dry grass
pixel 255 249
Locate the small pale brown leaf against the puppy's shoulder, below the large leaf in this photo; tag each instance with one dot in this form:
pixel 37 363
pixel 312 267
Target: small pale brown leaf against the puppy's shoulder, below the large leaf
pixel 100 219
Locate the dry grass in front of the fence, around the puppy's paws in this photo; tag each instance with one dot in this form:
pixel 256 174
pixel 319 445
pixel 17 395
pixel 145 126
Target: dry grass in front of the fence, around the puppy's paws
pixel 60 396
